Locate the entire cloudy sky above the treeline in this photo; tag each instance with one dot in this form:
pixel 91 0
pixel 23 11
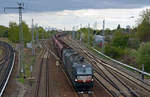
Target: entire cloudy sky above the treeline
pixel 79 13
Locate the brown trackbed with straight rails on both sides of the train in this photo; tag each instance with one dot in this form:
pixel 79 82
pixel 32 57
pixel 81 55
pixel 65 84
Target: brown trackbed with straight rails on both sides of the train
pixel 109 81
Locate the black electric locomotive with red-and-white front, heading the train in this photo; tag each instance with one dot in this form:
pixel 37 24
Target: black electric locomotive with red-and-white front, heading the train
pixel 79 70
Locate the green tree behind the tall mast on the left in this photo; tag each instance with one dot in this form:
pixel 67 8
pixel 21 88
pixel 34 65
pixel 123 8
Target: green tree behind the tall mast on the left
pixel 13 32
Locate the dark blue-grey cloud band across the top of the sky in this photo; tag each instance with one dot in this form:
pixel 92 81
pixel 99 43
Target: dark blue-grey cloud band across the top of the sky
pixel 57 5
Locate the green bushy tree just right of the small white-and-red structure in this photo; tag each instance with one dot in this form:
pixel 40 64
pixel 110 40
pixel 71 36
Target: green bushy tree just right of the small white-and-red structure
pixel 116 48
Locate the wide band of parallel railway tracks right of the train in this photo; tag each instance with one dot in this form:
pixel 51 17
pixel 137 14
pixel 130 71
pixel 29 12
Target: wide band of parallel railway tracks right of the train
pixel 110 76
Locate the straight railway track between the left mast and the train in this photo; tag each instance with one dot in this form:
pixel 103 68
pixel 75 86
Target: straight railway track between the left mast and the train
pixel 43 76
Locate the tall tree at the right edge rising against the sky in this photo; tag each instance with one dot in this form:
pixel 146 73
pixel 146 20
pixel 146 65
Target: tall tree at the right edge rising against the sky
pixel 143 30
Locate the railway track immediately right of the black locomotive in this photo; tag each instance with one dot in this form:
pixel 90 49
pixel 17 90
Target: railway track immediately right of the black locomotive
pixel 102 76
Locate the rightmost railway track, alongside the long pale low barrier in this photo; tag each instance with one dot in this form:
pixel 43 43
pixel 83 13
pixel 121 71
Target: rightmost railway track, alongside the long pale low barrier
pixel 139 88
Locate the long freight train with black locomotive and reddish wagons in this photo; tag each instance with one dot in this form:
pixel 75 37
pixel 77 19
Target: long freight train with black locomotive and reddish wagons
pixel 79 71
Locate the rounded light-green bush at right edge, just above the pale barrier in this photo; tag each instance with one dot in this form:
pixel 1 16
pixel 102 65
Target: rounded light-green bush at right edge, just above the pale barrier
pixel 143 56
